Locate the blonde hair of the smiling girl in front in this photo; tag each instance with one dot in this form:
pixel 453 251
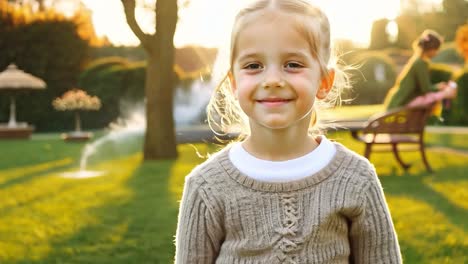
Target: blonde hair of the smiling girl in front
pixel 224 111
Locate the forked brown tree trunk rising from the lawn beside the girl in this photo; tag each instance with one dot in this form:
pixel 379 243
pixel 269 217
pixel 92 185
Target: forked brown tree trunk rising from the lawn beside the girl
pixel 159 84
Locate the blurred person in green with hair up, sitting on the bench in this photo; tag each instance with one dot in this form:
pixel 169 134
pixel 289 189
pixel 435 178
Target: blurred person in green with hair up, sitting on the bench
pixel 413 86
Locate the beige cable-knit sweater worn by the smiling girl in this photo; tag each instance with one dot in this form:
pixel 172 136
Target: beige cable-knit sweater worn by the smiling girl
pixel 338 215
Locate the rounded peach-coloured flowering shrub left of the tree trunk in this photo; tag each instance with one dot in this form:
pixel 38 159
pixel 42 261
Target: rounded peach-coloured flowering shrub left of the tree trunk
pixel 76 99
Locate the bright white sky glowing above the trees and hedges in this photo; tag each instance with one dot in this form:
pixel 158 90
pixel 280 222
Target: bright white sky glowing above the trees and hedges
pixel 207 22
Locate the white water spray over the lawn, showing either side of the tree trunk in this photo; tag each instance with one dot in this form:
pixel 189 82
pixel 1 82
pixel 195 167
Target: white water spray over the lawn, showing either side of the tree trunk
pixel 189 108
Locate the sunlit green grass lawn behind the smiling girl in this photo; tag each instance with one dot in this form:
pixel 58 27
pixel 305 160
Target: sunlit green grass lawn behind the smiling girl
pixel 129 214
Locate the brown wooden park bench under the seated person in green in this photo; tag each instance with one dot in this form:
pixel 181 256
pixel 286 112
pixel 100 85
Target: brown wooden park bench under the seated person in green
pixel 399 126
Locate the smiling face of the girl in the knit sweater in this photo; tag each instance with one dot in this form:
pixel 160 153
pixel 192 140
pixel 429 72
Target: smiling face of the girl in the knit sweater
pixel 274 76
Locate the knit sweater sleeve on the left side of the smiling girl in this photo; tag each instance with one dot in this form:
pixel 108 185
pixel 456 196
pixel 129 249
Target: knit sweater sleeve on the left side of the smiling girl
pixel 199 234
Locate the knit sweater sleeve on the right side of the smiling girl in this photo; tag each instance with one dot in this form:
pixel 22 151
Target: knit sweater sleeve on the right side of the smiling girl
pixel 372 235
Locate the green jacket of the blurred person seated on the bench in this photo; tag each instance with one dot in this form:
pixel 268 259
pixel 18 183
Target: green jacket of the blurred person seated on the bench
pixel 413 81
